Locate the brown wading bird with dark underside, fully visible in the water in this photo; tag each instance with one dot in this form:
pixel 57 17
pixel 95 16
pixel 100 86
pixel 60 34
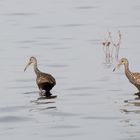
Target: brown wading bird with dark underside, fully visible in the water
pixel 44 81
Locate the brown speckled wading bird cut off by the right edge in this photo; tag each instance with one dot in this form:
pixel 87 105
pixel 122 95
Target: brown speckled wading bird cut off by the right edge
pixel 134 78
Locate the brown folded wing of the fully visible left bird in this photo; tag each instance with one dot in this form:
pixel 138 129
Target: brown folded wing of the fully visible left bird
pixel 45 78
